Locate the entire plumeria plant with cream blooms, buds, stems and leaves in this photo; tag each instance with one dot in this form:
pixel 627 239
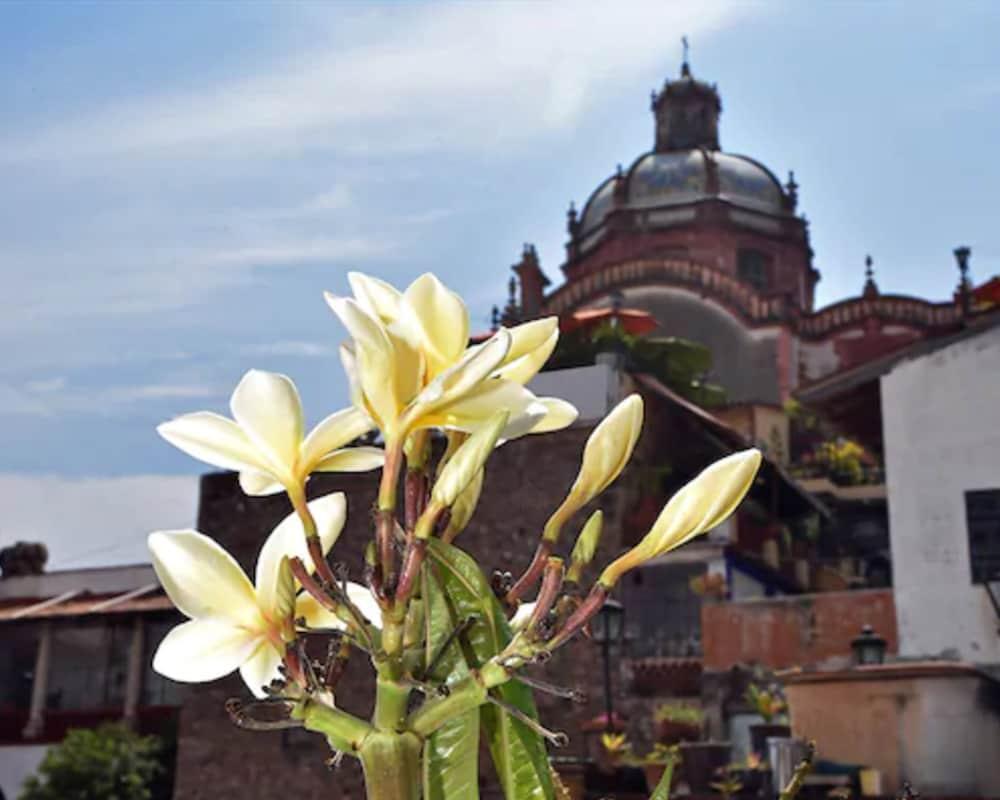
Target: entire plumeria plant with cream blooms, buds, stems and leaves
pixel 446 646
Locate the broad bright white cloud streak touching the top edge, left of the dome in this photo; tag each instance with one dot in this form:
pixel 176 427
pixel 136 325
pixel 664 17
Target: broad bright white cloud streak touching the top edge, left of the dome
pixel 459 75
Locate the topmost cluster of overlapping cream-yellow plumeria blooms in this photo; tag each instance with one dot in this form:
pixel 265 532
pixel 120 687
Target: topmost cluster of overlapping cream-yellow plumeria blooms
pixel 409 365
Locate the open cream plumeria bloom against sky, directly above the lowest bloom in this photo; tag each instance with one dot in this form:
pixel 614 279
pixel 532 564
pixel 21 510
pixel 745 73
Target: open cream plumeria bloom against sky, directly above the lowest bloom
pixel 265 441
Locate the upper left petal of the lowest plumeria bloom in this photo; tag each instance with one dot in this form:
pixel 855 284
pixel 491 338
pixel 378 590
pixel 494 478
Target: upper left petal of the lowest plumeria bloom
pixel 202 579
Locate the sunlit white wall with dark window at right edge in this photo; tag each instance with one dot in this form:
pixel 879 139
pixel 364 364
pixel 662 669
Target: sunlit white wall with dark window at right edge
pixel 941 424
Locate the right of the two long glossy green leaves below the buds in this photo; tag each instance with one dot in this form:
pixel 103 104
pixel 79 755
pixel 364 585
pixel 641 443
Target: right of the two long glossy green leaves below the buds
pixel 518 752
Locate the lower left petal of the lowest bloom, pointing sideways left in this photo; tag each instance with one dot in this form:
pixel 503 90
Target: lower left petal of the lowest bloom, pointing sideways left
pixel 203 650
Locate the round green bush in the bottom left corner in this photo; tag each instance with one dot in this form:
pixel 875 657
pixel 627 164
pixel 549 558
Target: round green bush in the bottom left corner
pixel 110 762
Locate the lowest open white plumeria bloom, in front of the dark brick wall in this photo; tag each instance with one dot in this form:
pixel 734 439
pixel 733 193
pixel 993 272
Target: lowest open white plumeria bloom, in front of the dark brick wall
pixel 233 623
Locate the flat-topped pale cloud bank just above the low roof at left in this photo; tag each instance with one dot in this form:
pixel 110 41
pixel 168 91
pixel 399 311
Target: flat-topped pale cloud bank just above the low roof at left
pixel 94 521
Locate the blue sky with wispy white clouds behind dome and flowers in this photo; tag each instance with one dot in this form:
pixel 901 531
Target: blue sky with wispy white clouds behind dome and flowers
pixel 181 181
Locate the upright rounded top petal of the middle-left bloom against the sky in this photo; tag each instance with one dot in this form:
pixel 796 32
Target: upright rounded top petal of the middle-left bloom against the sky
pixel 268 409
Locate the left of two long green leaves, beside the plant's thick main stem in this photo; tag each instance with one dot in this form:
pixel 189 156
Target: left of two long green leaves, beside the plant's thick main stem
pixel 451 754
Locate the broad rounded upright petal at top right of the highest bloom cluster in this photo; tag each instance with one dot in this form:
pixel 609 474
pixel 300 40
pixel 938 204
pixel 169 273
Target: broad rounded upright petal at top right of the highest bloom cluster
pixel 442 319
